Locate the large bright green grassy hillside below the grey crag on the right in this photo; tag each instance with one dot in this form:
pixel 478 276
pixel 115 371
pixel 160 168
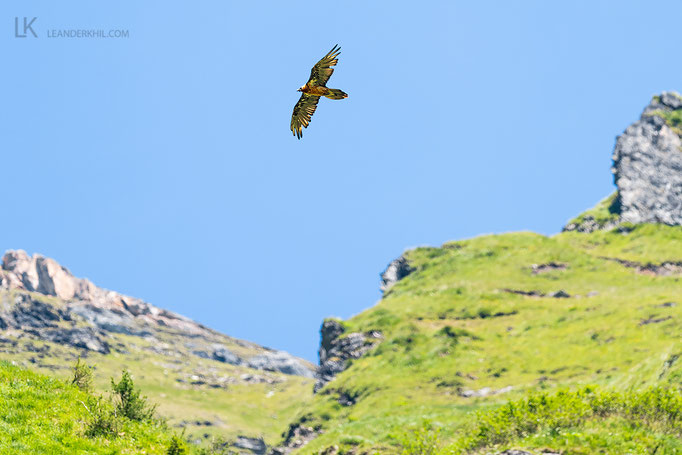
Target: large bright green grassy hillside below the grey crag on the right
pixel 519 340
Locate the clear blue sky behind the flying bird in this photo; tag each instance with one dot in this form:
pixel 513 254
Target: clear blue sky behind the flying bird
pixel 162 166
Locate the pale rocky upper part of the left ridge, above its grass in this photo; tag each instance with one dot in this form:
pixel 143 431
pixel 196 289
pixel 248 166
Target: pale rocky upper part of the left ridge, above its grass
pixel 48 303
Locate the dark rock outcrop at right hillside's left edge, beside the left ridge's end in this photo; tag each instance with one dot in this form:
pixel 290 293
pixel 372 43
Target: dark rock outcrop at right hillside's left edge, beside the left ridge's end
pixel 336 349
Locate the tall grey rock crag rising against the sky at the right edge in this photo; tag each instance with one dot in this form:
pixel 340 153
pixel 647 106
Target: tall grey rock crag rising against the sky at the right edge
pixel 647 165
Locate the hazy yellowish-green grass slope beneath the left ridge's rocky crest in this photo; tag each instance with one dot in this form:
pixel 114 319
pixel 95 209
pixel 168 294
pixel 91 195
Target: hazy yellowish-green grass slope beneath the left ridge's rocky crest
pixel 187 388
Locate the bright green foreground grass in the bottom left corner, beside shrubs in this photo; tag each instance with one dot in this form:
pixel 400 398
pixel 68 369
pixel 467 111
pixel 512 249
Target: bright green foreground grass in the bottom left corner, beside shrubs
pixel 43 415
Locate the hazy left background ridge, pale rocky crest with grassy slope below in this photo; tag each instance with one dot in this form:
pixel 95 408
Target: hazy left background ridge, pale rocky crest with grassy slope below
pixel 208 383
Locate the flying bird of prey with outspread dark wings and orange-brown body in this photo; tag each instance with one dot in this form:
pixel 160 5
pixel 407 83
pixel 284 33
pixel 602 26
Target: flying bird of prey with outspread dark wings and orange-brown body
pixel 313 90
